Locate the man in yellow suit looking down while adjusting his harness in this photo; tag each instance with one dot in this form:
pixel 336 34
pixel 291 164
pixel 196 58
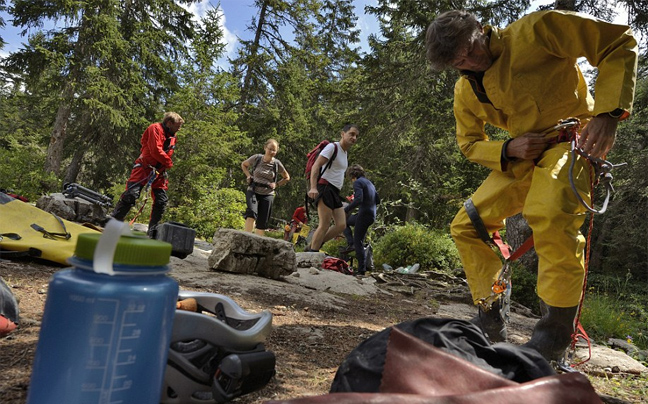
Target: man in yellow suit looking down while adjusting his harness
pixel 524 79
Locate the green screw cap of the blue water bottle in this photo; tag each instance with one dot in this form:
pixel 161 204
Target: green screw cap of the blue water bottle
pixel 131 250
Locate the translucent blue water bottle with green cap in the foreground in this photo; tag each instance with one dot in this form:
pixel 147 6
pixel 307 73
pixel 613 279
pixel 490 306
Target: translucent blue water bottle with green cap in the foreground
pixel 107 323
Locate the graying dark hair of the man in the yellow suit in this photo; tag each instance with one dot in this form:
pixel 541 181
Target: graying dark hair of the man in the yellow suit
pixel 447 35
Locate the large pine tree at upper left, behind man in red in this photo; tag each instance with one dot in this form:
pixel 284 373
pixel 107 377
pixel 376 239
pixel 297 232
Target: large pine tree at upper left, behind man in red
pixel 108 65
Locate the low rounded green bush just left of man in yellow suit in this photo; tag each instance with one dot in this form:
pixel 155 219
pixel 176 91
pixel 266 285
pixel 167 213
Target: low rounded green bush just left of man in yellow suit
pixel 414 243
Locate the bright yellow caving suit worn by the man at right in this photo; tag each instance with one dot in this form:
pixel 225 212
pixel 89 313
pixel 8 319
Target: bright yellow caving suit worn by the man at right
pixel 534 82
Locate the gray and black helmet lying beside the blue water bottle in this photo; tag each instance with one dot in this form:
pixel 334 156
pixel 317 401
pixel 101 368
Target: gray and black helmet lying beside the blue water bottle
pixel 216 353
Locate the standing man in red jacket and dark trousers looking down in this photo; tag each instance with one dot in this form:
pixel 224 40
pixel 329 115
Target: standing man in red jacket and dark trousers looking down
pixel 158 144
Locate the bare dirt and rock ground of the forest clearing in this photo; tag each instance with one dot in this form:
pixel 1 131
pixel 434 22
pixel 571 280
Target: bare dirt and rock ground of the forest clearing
pixel 318 318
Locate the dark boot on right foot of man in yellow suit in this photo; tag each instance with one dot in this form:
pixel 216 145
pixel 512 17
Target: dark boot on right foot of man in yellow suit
pixel 552 334
